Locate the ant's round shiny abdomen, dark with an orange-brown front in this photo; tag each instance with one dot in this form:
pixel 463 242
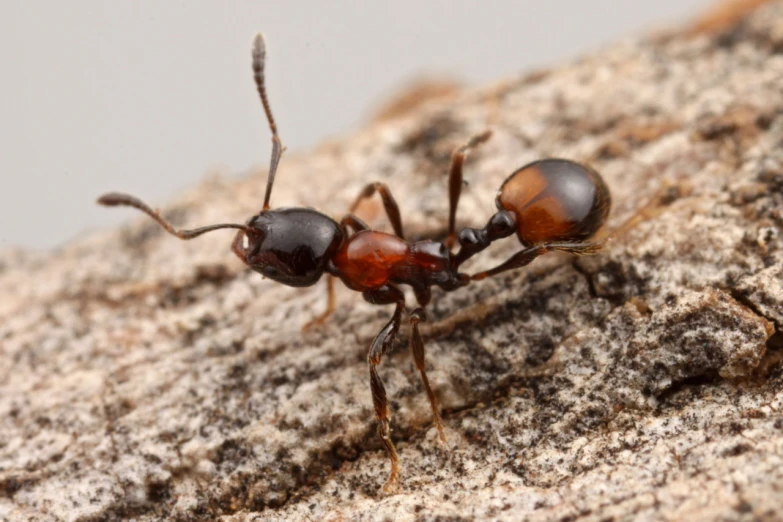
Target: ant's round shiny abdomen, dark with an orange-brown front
pixel 555 200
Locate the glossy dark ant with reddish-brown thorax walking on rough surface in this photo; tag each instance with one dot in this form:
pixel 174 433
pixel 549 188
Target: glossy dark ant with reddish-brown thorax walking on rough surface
pixel 550 204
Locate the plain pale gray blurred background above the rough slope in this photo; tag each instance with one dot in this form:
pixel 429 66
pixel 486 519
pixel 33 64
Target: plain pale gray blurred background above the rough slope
pixel 148 97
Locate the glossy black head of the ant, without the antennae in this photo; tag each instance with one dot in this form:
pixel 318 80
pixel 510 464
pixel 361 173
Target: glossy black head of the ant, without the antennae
pixel 293 246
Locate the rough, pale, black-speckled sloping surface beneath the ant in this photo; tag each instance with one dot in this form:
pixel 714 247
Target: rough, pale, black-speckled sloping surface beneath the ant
pixel 147 378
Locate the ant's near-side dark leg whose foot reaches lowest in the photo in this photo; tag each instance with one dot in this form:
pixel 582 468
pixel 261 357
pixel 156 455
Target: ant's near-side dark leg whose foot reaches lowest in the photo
pixel 385 295
